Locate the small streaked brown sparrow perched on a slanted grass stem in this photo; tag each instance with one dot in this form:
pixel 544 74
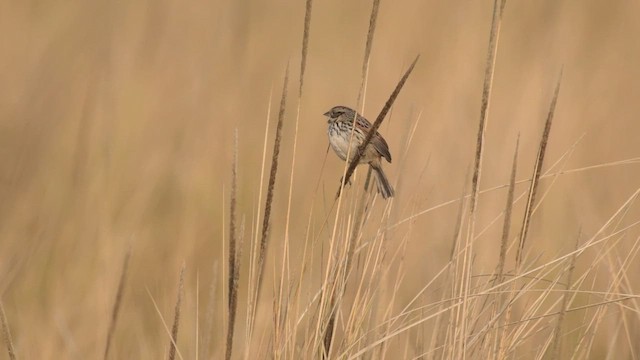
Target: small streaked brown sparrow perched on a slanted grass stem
pixel 341 120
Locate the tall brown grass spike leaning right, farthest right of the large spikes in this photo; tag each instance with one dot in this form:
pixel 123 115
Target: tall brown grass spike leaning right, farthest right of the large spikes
pixel 536 174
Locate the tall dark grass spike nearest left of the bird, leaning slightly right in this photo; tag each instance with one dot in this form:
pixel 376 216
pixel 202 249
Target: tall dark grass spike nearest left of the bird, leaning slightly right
pixel 270 189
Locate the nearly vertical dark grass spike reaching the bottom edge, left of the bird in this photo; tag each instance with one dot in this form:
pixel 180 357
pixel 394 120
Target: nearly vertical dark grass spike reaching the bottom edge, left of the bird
pixel 234 268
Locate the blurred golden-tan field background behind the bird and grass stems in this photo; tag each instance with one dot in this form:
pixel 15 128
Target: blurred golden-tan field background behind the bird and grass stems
pixel 117 123
